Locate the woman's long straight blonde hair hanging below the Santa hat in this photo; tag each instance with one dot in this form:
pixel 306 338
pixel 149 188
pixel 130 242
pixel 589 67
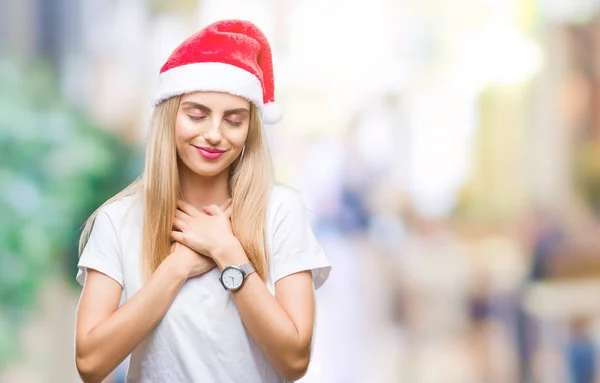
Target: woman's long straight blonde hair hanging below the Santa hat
pixel 251 177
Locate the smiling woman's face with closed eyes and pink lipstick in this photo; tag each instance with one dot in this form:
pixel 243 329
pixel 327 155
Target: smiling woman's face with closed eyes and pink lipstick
pixel 210 131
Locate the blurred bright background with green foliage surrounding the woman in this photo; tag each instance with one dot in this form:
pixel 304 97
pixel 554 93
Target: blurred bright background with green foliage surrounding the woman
pixel 449 152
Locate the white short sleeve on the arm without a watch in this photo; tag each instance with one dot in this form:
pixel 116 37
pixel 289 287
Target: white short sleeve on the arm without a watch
pixel 101 252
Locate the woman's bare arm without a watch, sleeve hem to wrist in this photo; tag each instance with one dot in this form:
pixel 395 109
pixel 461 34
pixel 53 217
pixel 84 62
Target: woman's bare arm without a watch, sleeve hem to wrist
pixel 106 334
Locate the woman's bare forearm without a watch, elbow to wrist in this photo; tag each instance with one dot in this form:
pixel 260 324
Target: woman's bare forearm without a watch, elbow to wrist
pixel 104 347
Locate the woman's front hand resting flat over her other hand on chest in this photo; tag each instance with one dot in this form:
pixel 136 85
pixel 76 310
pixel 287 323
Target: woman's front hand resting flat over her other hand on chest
pixel 205 231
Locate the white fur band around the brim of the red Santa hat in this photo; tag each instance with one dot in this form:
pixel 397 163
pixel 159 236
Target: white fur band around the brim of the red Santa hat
pixel 209 77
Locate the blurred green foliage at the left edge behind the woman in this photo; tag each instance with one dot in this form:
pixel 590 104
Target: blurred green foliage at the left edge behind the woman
pixel 56 167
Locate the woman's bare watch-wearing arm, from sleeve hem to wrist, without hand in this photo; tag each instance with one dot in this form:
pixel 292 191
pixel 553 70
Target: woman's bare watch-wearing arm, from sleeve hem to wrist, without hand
pixel 282 325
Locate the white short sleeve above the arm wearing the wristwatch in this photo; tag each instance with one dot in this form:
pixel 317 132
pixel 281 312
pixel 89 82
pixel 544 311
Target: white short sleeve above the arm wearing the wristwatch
pixel 295 247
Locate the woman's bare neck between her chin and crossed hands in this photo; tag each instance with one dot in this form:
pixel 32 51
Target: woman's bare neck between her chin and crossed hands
pixel 203 191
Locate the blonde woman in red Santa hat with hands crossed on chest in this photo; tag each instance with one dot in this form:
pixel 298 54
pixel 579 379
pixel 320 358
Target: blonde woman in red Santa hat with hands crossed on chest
pixel 217 266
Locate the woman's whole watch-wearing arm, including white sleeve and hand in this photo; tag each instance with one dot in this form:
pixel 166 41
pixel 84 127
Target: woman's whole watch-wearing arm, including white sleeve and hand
pixel 282 325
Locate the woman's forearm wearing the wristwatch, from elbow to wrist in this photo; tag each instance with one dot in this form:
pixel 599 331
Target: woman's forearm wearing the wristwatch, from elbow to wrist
pixel 268 322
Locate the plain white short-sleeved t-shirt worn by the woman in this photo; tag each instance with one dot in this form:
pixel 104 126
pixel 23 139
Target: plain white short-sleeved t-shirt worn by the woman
pixel 202 338
